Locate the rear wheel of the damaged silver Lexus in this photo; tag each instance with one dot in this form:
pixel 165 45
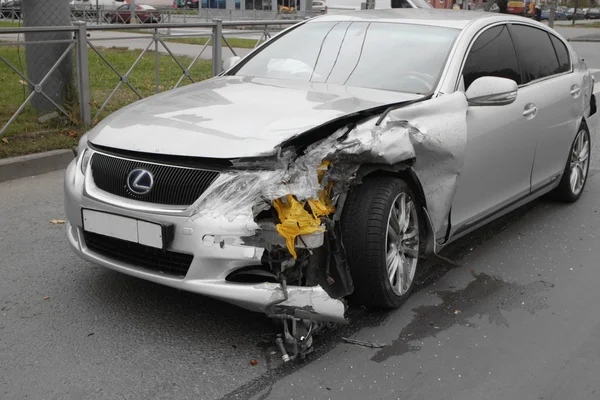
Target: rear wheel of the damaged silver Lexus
pixel 566 190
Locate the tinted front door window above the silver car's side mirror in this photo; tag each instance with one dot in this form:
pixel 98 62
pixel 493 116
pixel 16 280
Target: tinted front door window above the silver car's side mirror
pixel 492 54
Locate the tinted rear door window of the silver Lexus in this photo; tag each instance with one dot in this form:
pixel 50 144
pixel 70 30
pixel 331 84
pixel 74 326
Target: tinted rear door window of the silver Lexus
pixel 536 53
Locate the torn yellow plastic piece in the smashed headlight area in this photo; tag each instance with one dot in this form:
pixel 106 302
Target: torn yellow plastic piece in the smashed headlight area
pixel 296 220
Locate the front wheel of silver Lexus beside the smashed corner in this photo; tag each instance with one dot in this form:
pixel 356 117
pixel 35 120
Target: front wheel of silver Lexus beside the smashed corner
pixel 365 233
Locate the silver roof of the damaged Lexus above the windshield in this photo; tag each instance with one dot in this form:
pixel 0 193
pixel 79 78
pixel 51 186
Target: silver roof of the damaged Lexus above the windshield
pixel 457 19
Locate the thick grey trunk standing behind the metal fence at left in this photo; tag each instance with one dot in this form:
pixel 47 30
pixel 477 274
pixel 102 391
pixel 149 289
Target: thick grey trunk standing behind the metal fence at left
pixel 42 57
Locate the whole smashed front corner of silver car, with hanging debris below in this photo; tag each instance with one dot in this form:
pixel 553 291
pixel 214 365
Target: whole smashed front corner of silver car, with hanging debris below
pixel 295 198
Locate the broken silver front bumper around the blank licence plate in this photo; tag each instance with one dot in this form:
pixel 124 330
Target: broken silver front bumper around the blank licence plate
pixel 215 244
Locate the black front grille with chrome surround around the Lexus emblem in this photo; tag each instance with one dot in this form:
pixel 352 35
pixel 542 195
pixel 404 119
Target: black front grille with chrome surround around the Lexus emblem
pixel 173 185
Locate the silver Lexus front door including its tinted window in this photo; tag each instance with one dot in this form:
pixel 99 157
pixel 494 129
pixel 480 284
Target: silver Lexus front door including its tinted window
pixel 500 139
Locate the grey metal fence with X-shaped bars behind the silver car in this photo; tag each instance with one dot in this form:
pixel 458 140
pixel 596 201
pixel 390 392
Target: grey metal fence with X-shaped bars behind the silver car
pixel 93 42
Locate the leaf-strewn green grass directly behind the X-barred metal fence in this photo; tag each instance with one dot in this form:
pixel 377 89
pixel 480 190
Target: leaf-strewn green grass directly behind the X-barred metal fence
pixel 27 135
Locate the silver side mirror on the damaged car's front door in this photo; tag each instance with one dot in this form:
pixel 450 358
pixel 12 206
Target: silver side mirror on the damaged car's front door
pixel 492 91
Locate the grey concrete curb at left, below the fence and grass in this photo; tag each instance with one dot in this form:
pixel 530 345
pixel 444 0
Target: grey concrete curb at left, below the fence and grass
pixel 34 164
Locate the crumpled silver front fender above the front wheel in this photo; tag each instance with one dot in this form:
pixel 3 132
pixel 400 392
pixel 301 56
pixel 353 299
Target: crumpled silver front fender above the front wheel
pixel 431 135
